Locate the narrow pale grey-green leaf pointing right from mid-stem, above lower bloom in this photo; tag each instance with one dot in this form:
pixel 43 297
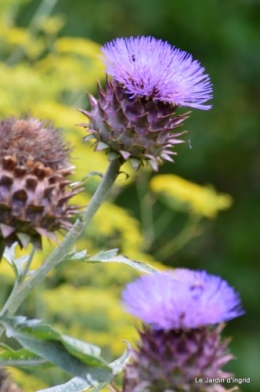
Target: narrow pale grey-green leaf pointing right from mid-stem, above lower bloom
pixel 110 257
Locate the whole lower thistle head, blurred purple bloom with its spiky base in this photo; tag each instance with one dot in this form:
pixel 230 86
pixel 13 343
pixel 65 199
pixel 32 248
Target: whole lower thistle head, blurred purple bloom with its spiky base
pixel 180 347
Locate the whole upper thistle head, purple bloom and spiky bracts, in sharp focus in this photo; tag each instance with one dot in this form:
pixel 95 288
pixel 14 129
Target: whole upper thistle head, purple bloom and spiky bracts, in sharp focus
pixel 134 118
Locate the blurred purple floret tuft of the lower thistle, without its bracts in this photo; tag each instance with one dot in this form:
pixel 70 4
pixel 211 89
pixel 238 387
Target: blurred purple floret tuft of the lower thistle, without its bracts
pixel 182 299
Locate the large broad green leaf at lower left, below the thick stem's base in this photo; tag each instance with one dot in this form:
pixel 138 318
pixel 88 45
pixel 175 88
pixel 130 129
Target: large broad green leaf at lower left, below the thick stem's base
pixel 61 351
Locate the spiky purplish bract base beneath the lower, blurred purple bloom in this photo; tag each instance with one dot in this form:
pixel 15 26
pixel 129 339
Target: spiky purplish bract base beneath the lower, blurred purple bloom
pixel 171 361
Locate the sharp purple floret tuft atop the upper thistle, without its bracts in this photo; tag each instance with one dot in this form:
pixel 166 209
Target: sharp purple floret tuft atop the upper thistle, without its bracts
pixel 156 70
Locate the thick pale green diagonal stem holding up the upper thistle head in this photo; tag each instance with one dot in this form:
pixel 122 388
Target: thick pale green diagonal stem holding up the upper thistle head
pixel 22 290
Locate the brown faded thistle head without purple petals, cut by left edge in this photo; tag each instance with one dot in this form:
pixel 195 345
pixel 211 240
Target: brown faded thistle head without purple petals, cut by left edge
pixel 34 194
